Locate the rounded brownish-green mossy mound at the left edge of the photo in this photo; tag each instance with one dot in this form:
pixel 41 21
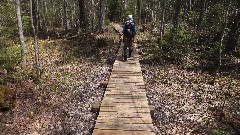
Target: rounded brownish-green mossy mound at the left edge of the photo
pixel 7 98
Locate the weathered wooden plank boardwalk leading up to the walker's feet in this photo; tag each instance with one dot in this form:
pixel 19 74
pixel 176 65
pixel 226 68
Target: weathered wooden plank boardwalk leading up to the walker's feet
pixel 124 109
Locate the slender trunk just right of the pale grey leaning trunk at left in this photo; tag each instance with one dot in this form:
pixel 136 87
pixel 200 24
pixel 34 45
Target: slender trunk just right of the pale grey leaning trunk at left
pixel 34 22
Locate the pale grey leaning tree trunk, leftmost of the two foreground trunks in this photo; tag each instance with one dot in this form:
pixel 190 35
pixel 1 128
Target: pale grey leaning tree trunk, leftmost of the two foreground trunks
pixel 21 36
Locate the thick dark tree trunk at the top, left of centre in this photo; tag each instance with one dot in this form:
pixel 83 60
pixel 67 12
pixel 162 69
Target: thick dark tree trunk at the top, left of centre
pixel 82 15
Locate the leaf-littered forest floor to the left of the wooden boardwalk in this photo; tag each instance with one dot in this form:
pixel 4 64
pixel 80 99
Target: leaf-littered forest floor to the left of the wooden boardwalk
pixel 61 102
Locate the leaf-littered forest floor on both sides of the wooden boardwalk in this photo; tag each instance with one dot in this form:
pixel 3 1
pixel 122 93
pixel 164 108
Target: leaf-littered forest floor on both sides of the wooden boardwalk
pixel 184 101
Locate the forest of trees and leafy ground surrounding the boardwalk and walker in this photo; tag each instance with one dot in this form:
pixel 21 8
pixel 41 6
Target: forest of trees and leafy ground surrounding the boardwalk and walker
pixel 53 54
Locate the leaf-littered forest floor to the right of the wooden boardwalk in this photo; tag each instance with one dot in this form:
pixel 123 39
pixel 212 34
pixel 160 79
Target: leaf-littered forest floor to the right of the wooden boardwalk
pixel 186 101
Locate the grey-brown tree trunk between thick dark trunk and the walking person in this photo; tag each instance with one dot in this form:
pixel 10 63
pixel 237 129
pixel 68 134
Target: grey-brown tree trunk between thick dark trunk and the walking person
pixel 102 15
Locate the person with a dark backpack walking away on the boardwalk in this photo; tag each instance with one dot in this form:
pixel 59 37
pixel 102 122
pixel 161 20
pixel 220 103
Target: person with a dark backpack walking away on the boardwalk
pixel 129 31
